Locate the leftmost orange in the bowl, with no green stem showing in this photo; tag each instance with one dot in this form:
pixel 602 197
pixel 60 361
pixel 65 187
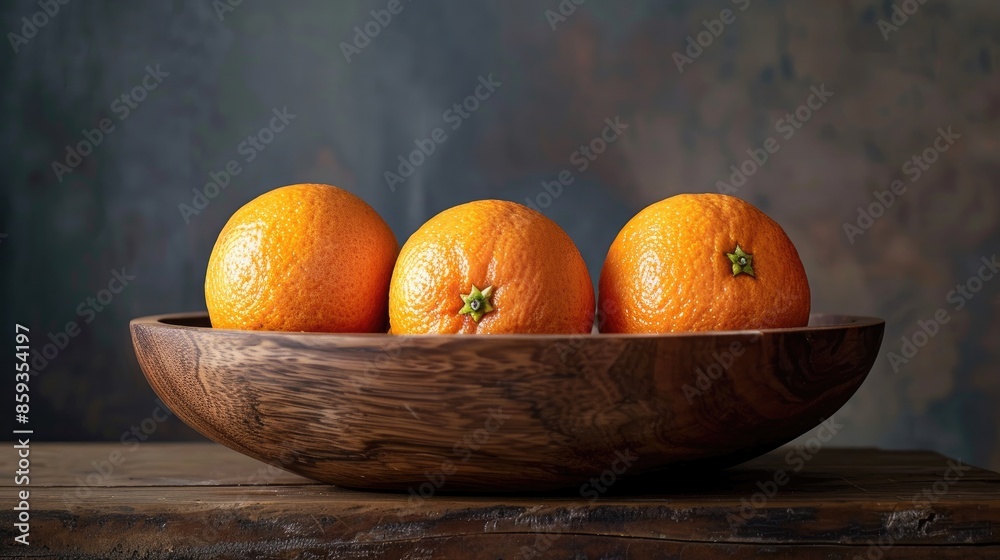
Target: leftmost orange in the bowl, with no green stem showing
pixel 302 258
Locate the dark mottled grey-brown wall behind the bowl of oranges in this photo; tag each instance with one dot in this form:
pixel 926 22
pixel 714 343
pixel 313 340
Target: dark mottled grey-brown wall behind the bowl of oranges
pixel 893 89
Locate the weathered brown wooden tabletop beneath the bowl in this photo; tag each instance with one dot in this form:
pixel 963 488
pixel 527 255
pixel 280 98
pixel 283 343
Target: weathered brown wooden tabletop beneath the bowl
pixel 153 500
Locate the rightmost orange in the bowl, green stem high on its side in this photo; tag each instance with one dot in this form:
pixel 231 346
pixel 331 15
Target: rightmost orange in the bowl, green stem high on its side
pixel 698 262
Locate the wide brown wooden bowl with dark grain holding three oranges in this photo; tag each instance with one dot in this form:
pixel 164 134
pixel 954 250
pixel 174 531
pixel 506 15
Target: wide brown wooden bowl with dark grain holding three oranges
pixel 502 412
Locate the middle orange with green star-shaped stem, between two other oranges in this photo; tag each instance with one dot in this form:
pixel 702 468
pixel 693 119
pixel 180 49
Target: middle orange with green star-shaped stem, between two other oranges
pixel 490 266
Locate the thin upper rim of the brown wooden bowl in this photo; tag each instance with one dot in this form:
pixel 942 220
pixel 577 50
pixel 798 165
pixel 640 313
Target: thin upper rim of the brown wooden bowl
pixel 853 321
